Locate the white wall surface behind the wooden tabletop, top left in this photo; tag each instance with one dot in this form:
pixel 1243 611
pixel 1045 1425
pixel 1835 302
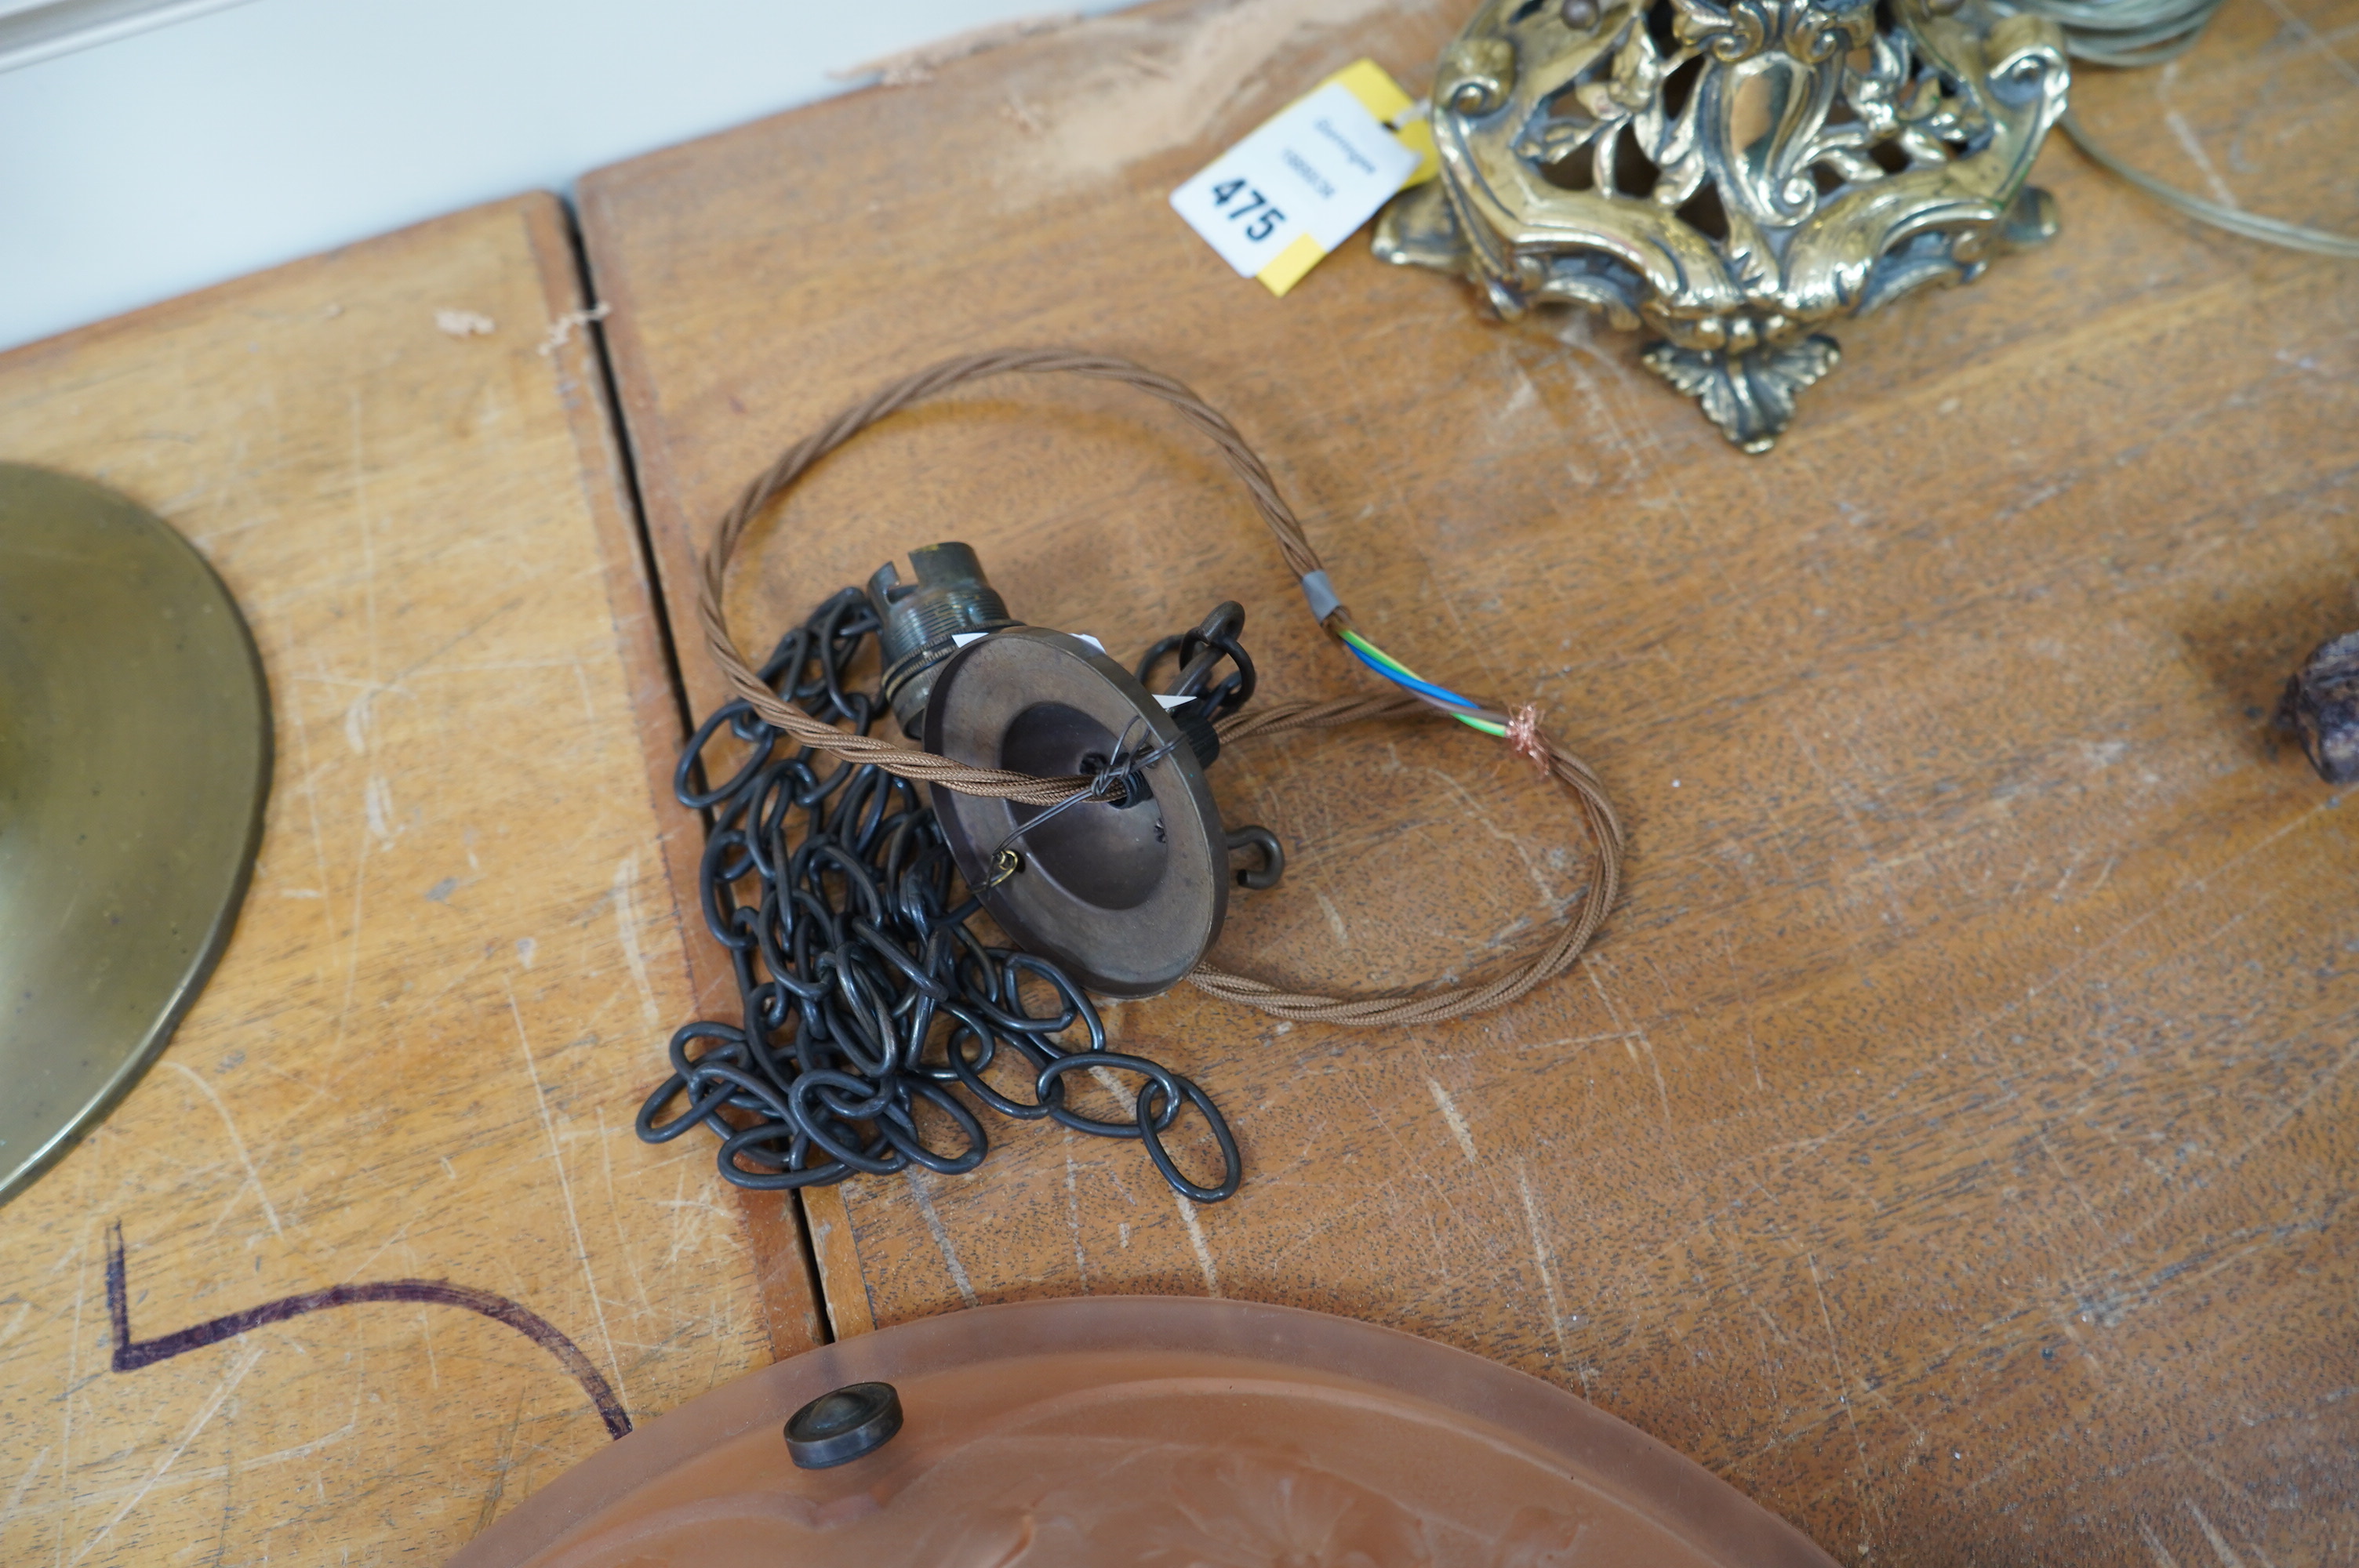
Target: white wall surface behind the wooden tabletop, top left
pixel 155 164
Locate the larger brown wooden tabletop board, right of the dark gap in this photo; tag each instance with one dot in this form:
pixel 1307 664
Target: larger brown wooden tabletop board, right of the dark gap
pixel 1945 1140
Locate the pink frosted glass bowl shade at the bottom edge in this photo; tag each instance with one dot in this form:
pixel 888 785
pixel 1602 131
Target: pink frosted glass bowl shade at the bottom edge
pixel 1157 1432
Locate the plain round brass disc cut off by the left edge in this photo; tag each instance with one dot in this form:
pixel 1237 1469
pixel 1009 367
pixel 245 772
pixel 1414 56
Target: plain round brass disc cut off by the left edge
pixel 136 756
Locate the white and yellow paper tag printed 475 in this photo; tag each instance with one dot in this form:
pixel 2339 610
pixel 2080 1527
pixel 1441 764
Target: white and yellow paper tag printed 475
pixel 1296 190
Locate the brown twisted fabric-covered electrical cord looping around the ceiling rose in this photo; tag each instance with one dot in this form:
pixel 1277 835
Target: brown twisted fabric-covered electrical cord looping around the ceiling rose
pixel 1424 1006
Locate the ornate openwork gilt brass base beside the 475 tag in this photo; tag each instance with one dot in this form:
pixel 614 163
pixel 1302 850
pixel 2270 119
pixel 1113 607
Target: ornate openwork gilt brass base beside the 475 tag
pixel 1733 176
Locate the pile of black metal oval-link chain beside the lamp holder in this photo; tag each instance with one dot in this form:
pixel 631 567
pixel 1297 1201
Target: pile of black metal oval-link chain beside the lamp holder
pixel 865 989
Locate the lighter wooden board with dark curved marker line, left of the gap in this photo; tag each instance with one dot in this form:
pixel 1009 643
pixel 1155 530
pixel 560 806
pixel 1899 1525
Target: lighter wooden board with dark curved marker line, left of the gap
pixel 426 1043
